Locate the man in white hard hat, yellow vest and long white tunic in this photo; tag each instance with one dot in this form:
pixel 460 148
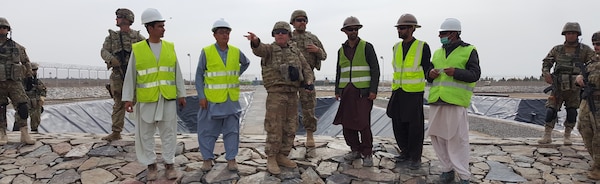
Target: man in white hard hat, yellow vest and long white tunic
pixel 154 80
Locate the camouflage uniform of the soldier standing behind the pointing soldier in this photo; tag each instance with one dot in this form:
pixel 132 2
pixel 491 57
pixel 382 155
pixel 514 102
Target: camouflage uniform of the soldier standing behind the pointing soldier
pixel 308 99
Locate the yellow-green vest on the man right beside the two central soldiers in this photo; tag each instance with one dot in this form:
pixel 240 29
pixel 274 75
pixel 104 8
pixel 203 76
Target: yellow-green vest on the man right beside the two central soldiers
pixel 356 71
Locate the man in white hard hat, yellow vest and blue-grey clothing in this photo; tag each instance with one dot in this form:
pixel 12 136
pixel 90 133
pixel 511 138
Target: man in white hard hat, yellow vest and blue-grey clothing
pixel 218 86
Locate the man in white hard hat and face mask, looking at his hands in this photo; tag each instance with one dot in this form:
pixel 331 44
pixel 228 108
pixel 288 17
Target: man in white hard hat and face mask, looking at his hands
pixel 455 71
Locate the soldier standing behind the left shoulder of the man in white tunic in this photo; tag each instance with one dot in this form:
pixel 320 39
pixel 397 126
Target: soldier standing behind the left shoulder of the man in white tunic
pixel 115 52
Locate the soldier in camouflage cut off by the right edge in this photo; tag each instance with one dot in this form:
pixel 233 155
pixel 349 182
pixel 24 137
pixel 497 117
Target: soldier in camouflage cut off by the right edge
pixel 589 122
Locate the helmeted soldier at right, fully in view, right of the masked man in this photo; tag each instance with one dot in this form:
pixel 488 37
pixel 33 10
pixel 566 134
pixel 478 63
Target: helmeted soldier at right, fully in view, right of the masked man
pixel 566 59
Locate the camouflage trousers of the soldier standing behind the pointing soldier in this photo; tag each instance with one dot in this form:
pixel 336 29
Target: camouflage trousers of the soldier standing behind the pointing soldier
pixel 308 101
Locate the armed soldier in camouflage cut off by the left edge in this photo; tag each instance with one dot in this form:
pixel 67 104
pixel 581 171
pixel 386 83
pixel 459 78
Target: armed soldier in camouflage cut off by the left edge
pixel 14 67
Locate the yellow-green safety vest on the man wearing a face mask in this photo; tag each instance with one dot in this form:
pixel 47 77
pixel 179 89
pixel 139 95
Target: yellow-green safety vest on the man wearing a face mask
pixel 446 87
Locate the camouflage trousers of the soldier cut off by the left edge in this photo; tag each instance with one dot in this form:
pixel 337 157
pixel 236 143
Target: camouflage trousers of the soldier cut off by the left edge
pixel 14 91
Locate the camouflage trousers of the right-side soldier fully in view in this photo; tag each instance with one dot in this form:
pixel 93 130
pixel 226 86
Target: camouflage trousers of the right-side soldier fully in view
pixel 569 98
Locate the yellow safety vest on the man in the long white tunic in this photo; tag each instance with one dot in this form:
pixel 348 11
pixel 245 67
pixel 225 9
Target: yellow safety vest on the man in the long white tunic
pixel 155 78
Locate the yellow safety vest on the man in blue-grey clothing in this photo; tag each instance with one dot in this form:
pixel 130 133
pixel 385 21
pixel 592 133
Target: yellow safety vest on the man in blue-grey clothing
pixel 222 79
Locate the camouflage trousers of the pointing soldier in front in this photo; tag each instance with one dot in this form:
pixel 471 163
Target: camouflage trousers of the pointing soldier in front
pixel 281 122
